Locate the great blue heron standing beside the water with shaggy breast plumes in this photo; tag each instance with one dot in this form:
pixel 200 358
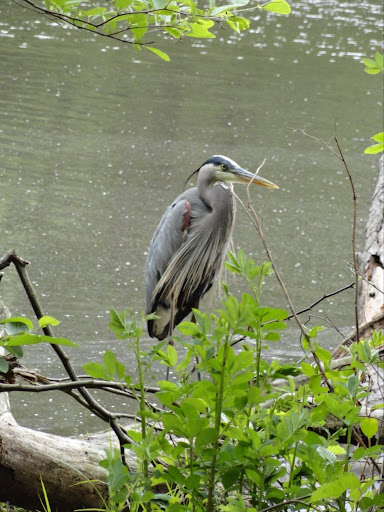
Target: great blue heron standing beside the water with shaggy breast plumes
pixel 190 243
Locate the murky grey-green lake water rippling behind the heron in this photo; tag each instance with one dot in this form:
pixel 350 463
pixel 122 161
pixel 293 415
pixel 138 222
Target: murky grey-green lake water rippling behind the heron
pixel 97 140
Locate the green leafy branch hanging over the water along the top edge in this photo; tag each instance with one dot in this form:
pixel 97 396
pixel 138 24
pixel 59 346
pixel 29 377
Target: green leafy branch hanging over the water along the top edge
pixel 130 21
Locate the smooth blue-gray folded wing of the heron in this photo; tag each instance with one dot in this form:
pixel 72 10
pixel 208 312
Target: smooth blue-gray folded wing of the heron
pixel 166 241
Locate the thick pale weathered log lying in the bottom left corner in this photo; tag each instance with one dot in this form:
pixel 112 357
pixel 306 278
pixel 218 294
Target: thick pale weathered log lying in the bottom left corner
pixel 27 455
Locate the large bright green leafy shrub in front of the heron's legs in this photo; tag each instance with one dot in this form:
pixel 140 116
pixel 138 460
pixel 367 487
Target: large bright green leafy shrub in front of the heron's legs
pixel 243 444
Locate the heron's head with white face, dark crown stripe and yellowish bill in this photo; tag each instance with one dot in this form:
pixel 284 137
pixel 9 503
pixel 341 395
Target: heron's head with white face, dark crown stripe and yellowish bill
pixel 224 169
